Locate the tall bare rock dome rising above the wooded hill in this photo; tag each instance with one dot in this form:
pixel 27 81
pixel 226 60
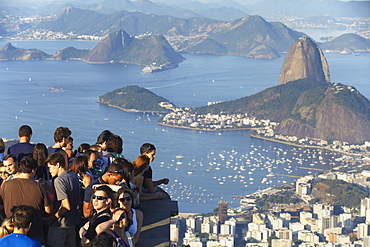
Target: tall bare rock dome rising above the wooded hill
pixel 304 60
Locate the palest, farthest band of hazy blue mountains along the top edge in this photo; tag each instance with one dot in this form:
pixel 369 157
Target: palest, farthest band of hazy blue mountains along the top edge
pixel 226 10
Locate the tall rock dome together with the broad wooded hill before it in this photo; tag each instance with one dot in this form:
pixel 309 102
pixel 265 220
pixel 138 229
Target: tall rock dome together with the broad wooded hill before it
pixel 306 103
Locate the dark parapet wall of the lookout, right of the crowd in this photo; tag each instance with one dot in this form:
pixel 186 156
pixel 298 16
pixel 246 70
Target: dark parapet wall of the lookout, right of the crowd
pixel 155 231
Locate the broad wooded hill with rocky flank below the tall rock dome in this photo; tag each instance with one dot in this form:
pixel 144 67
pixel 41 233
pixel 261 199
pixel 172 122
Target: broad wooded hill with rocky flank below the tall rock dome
pixel 307 108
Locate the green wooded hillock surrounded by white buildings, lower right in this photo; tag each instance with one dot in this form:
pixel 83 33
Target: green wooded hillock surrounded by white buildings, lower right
pixel 337 192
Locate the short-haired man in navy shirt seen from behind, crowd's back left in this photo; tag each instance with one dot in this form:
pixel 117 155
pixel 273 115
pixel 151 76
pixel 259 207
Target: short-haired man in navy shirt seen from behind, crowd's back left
pixel 24 147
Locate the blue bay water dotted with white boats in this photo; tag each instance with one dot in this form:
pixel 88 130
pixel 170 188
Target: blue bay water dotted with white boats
pixel 26 98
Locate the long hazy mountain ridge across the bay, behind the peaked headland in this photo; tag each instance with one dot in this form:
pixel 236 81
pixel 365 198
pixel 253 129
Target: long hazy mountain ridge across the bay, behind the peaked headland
pixel 251 36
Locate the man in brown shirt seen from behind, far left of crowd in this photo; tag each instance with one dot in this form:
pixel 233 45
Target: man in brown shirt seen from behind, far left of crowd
pixel 29 193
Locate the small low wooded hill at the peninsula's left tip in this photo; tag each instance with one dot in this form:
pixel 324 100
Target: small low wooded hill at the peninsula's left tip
pixel 134 98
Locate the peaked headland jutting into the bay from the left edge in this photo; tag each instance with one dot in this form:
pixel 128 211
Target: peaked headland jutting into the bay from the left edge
pixel 152 51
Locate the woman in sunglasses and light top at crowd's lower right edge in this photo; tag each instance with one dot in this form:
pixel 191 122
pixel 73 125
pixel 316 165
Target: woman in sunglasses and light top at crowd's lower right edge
pixel 125 201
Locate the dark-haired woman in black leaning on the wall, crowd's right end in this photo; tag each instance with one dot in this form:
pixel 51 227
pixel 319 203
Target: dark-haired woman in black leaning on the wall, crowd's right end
pixel 149 150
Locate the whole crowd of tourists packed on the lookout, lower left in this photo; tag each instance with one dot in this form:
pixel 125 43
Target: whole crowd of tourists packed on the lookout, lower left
pixel 57 196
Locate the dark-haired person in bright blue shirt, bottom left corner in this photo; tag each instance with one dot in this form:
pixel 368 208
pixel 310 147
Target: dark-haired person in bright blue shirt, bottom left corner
pixel 23 217
